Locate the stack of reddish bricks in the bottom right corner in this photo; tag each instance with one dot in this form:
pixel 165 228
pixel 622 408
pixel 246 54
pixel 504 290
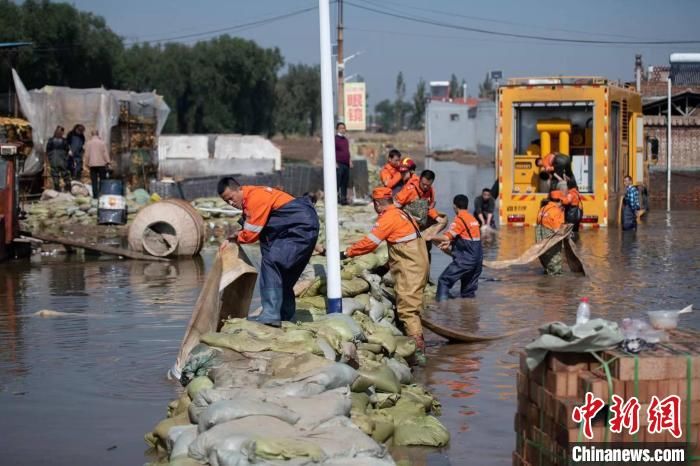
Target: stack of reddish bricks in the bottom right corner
pixel 548 394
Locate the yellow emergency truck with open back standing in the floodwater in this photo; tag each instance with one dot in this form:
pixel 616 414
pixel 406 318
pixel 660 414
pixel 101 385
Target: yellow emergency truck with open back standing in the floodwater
pixel 595 121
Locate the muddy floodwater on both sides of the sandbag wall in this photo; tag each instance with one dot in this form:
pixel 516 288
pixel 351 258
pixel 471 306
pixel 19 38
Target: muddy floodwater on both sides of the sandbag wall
pixel 83 389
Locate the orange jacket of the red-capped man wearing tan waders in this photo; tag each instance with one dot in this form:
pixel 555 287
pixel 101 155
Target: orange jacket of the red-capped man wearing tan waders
pixel 393 225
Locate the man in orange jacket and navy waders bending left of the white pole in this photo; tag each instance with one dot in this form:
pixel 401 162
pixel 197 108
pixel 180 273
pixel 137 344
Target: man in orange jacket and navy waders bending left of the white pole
pixel 287 228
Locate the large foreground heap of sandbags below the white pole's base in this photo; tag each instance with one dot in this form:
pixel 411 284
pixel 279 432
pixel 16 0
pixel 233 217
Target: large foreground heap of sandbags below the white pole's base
pixel 335 390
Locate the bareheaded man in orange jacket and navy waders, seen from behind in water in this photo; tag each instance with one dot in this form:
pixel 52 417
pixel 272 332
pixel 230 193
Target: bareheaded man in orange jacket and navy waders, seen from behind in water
pixel 464 236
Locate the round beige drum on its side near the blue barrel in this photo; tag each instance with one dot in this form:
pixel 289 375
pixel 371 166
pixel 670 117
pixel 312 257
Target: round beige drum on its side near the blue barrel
pixel 168 228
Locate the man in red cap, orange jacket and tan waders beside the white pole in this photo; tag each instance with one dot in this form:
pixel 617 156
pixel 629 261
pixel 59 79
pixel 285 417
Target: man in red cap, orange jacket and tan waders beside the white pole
pixel 408 261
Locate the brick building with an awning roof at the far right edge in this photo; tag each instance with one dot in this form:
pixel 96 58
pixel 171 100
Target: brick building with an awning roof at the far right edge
pixel 685 132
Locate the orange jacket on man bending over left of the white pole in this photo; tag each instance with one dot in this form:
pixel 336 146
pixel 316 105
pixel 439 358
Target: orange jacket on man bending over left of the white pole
pixel 258 203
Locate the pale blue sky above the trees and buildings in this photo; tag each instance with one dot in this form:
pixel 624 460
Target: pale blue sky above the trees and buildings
pixel 392 44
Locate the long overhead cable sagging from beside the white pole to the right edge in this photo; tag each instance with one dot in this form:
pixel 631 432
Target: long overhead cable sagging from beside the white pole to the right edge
pixel 520 36
